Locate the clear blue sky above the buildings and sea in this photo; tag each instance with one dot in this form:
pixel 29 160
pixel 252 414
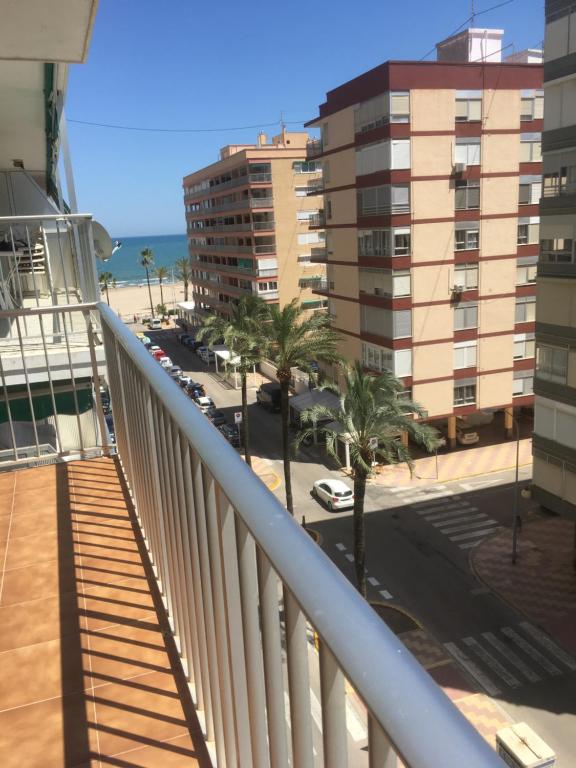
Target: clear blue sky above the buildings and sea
pixel 195 64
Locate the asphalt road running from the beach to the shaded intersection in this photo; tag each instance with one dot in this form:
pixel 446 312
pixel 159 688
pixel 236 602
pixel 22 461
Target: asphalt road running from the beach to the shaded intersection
pixel 418 547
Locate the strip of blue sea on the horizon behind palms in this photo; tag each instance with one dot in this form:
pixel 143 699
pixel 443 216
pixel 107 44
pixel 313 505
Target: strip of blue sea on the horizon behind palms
pixel 125 263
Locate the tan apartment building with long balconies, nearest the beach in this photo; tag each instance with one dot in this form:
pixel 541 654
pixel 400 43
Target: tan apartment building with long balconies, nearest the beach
pixel 249 219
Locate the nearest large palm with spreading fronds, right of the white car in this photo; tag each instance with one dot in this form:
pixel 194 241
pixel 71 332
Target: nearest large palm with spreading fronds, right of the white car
pixel 370 409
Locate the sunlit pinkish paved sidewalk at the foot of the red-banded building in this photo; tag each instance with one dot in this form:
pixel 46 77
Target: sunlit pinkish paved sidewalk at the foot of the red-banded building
pixel 465 462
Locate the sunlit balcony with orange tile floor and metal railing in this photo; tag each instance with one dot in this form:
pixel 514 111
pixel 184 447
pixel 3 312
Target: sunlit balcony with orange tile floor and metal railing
pixel 164 599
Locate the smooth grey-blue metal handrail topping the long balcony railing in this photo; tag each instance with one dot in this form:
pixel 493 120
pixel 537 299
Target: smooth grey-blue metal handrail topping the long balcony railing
pixel 420 720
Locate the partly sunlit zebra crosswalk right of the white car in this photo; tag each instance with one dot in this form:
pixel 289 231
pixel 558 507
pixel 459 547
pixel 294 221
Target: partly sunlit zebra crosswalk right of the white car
pixel 450 514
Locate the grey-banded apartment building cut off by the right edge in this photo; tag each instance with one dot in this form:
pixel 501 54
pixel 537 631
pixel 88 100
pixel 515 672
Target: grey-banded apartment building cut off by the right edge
pixel 555 382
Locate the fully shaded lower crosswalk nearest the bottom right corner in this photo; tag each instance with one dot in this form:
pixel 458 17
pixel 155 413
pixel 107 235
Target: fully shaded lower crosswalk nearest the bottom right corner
pixel 511 657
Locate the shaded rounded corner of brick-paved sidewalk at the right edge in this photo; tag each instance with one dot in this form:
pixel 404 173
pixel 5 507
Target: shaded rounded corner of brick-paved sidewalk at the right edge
pixel 542 584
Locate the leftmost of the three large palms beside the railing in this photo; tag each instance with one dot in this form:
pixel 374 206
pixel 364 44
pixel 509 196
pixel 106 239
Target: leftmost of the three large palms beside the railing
pixel 242 334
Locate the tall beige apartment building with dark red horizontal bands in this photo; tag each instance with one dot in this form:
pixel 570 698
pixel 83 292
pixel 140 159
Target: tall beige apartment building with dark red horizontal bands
pixel 432 177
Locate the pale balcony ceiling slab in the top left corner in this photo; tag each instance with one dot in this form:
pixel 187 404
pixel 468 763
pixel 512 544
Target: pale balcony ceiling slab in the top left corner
pixel 46 30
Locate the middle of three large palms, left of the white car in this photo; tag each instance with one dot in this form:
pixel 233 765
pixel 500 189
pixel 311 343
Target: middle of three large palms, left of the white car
pixel 296 341
